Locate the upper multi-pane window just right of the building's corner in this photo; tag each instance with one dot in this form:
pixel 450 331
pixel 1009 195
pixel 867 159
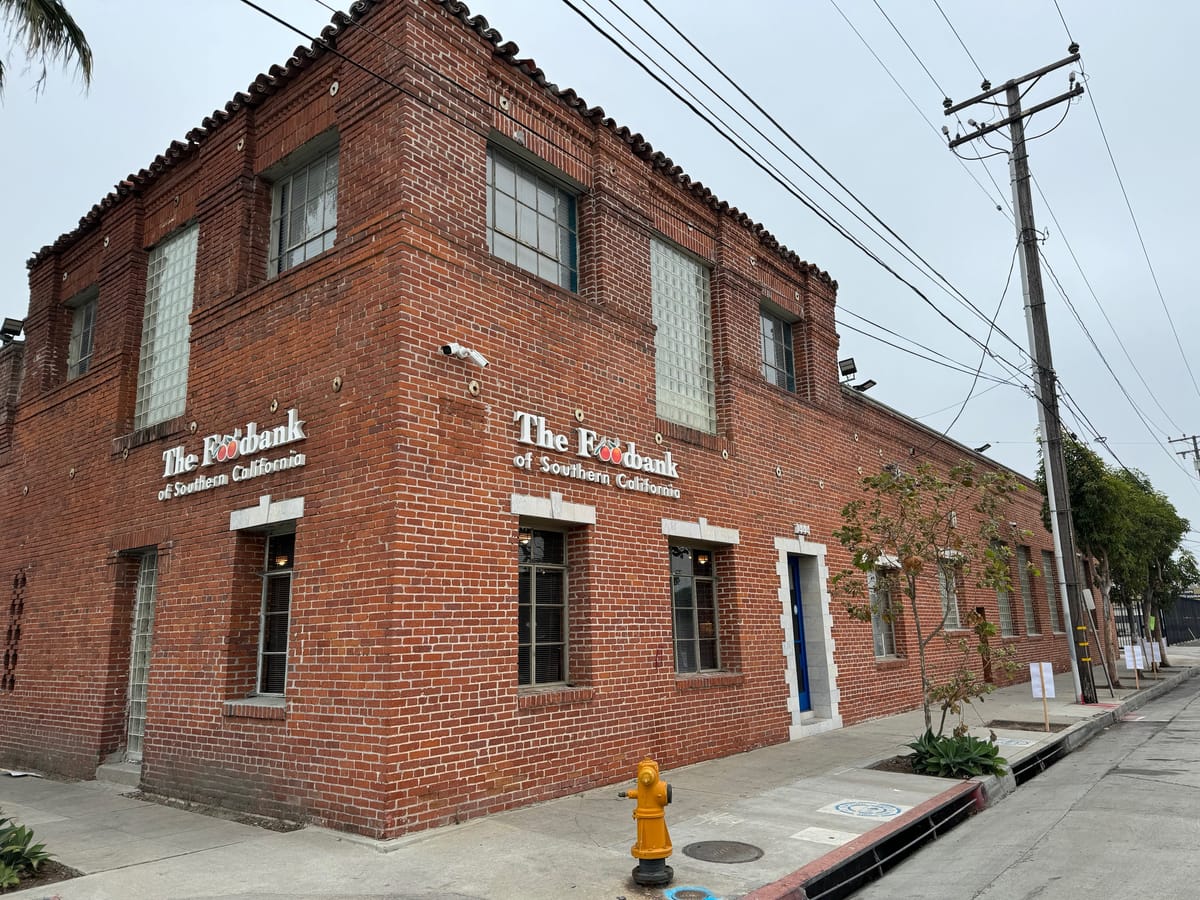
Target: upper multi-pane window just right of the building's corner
pixel 531 221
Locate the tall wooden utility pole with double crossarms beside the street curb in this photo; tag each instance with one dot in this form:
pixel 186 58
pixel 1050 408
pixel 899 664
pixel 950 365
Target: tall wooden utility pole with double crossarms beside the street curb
pixel 1040 347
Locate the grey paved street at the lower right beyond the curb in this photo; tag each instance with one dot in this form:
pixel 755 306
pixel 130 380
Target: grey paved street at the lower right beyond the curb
pixel 1117 819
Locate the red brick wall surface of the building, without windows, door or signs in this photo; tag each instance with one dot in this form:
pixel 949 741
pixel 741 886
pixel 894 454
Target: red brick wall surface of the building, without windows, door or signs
pixel 403 705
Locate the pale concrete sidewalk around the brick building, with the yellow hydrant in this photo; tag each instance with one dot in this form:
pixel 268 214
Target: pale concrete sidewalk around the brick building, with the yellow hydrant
pixel 808 806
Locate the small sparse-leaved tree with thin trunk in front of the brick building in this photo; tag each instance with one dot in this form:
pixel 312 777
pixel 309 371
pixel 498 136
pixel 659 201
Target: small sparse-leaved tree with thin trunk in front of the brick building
pixel 907 527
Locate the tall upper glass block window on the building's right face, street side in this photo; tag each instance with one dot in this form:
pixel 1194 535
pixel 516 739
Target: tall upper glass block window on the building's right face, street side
pixel 683 344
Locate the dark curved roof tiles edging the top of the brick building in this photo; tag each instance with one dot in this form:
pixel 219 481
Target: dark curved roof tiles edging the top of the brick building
pixel 277 77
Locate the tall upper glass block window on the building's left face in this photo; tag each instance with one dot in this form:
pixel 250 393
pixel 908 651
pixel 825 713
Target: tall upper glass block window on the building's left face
pixel 163 365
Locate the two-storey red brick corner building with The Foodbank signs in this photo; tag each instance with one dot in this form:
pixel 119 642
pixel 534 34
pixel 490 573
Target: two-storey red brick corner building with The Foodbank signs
pixel 279 537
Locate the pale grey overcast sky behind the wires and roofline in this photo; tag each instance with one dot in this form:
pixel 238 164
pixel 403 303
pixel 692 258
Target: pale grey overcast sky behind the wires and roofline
pixel 160 68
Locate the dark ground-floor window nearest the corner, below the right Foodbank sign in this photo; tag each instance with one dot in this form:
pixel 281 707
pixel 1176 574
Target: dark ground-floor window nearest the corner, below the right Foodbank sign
pixel 542 608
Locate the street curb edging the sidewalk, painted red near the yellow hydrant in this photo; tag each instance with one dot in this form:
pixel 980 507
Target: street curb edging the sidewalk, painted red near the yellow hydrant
pixel 988 791
